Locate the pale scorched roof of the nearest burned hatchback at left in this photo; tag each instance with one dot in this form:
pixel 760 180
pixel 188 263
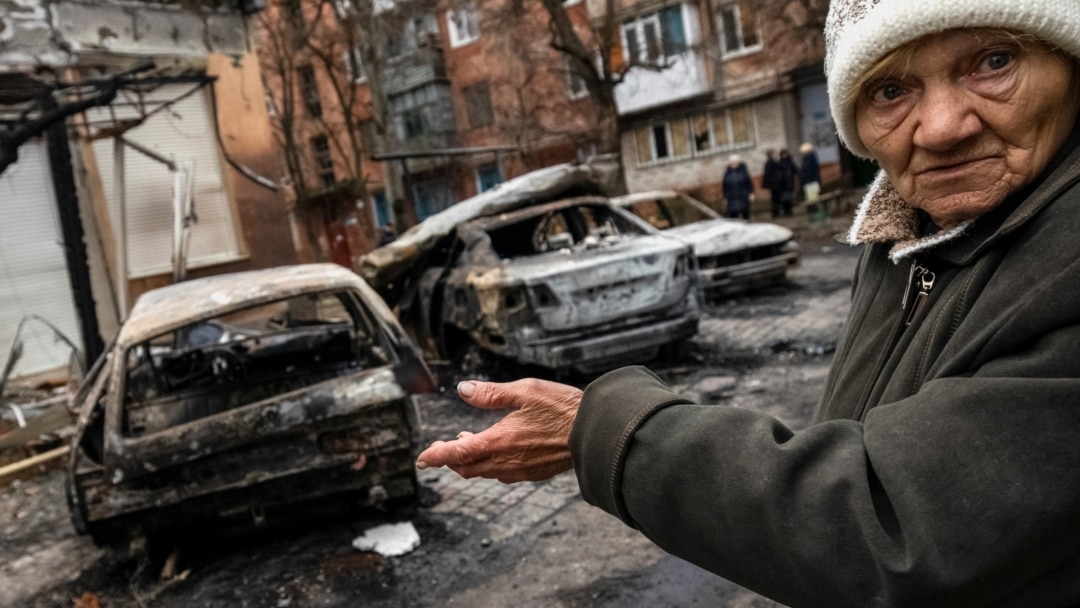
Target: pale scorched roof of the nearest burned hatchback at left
pixel 174 306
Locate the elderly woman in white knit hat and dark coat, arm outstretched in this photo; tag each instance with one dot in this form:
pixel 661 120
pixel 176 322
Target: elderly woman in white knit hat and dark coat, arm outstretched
pixel 943 468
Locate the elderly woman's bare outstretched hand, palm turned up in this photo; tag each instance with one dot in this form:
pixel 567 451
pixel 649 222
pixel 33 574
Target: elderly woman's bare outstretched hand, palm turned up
pixel 531 444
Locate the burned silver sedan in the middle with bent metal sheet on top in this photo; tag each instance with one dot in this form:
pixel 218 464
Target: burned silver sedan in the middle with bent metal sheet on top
pixel 552 277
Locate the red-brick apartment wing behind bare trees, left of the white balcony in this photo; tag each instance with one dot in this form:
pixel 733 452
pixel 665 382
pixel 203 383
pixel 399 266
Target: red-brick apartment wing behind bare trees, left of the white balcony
pixel 448 100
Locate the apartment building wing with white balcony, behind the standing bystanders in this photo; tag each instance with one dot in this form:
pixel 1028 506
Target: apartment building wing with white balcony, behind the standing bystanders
pixel 733 82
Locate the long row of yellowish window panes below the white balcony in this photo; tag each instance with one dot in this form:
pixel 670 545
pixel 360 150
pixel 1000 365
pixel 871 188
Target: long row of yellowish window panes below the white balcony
pixel 721 130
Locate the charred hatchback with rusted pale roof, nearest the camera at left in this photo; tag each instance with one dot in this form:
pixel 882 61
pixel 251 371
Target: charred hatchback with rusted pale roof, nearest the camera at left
pixel 244 396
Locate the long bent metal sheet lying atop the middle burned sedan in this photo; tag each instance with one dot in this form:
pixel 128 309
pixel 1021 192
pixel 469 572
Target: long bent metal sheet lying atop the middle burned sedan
pixel 385 265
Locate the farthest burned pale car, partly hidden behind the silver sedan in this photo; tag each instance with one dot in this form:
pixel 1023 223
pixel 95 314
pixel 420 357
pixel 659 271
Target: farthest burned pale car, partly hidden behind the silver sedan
pixel 734 255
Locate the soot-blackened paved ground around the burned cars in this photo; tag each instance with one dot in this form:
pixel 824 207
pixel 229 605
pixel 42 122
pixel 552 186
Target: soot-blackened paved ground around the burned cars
pixel 483 544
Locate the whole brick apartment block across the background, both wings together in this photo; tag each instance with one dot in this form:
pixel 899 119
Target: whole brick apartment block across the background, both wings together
pixel 451 98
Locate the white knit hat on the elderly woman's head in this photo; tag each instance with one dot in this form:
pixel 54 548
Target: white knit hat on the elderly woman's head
pixel 859 33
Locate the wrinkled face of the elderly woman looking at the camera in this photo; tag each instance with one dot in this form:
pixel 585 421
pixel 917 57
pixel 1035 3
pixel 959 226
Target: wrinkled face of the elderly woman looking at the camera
pixel 974 117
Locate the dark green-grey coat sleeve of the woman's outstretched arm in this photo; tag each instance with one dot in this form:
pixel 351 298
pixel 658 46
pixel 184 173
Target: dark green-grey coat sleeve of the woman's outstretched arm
pixel 962 495
